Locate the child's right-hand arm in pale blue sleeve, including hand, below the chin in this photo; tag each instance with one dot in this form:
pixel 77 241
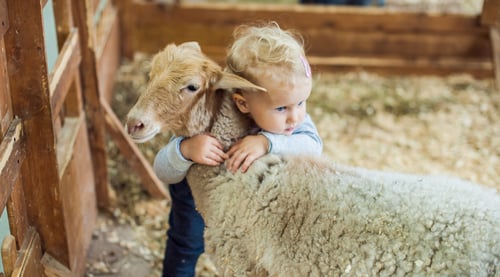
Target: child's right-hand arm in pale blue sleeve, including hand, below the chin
pixel 304 140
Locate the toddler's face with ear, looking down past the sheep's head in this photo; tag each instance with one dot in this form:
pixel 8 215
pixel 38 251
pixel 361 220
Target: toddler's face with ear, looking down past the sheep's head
pixel 279 110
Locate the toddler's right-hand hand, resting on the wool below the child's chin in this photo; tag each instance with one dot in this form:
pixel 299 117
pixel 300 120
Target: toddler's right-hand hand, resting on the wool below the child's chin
pixel 245 151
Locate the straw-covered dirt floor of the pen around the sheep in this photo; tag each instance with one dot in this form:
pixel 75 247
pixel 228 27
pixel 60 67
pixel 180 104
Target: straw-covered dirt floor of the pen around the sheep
pixel 424 125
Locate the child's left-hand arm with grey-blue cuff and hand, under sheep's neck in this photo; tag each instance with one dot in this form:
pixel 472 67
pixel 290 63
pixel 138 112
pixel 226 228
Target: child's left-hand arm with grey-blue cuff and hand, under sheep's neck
pixel 173 161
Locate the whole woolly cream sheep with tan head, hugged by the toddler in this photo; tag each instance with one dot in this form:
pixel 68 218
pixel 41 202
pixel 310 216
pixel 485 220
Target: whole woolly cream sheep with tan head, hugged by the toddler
pixel 308 216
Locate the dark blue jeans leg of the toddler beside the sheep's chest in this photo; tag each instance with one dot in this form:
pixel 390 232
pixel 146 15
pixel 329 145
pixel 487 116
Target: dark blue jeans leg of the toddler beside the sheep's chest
pixel 185 235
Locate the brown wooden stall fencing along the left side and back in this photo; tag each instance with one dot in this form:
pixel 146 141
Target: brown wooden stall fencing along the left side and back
pixel 58 60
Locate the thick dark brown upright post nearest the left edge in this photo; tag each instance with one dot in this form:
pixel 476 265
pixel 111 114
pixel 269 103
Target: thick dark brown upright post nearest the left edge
pixel 29 83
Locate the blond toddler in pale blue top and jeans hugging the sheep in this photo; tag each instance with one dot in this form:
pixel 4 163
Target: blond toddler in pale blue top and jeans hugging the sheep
pixel 273 59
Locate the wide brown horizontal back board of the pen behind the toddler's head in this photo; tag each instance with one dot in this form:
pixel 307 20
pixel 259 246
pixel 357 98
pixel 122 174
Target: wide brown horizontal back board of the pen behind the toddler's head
pixel 330 31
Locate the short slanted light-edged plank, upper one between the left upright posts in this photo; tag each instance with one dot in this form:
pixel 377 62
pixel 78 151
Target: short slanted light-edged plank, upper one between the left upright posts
pixel 67 65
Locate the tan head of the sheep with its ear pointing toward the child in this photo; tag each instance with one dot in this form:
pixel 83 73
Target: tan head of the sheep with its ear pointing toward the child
pixel 182 85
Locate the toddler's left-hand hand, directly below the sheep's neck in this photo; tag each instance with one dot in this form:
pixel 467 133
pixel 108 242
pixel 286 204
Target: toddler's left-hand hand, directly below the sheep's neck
pixel 203 149
